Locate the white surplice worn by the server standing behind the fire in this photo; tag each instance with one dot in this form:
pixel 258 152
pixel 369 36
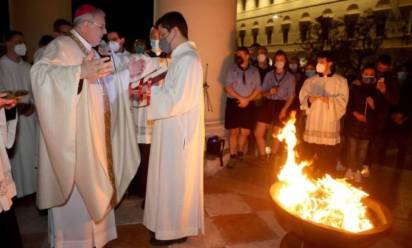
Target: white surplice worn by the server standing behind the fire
pixel 323 118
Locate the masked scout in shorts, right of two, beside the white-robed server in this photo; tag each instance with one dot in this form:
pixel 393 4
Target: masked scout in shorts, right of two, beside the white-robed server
pixel 278 90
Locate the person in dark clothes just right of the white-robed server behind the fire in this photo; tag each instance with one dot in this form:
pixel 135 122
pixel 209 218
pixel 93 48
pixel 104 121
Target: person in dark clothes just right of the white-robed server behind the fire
pixel 365 102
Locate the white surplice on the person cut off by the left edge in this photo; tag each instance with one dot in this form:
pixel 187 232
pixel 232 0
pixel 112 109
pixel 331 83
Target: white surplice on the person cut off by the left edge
pixel 7 186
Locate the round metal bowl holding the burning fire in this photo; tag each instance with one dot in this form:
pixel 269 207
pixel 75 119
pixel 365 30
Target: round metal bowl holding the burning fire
pixel 320 235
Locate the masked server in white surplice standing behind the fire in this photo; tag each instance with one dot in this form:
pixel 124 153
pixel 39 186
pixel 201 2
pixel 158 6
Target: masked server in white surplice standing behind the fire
pixel 324 98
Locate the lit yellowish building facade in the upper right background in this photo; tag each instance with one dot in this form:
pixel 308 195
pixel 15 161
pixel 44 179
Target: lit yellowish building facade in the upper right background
pixel 294 9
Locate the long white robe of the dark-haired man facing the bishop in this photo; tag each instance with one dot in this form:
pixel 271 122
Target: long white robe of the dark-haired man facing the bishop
pixel 174 196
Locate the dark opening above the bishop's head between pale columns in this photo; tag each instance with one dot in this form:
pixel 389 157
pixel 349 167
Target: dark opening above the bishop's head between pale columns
pixel 131 18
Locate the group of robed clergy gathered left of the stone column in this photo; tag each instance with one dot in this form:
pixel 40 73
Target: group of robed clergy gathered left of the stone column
pixel 79 136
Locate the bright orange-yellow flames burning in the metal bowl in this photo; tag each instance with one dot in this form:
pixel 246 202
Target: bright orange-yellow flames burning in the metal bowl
pixel 328 201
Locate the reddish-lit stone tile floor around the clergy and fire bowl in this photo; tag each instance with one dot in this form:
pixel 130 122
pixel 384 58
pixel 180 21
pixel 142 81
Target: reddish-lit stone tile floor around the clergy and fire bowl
pixel 239 212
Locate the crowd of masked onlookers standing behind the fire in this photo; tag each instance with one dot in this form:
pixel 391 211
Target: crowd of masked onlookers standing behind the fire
pixel 342 126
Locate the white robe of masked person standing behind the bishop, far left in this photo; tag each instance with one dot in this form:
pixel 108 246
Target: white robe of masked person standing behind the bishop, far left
pixel 24 156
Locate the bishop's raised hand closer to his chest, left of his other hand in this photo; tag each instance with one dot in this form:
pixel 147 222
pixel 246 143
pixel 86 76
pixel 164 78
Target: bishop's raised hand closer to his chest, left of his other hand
pixel 93 69
